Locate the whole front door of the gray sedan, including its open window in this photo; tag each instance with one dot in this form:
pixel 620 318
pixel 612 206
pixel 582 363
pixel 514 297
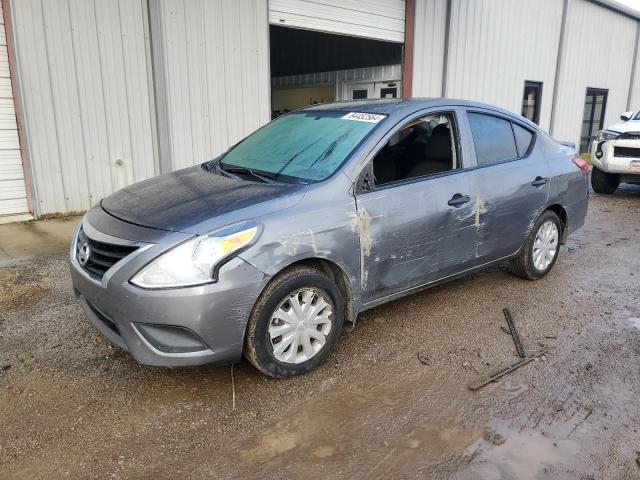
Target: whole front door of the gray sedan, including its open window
pixel 417 224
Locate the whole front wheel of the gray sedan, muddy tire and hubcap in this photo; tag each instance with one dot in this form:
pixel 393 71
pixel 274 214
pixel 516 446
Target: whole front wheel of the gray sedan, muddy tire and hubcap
pixel 307 286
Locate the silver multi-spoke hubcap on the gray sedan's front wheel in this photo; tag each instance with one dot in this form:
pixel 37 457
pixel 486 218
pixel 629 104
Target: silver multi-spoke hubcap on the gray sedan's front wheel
pixel 300 324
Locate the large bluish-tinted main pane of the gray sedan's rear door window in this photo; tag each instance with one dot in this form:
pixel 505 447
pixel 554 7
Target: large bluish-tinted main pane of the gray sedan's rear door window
pixel 493 137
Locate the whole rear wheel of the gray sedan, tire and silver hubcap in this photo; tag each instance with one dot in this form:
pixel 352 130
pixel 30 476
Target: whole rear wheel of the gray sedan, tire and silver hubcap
pixel 540 250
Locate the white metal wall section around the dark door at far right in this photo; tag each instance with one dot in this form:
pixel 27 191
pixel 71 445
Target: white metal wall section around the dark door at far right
pixel 598 52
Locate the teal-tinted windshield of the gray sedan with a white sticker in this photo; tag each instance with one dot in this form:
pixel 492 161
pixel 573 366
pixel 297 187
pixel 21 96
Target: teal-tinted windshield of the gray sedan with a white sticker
pixel 309 146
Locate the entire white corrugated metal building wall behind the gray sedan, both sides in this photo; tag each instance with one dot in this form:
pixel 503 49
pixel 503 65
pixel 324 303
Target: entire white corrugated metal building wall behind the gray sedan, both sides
pixel 91 94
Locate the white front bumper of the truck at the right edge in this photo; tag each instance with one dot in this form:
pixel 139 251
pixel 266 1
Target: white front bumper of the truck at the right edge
pixel 608 156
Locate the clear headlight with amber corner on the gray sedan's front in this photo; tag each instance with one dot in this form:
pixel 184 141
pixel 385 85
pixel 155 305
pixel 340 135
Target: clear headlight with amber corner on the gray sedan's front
pixel 193 262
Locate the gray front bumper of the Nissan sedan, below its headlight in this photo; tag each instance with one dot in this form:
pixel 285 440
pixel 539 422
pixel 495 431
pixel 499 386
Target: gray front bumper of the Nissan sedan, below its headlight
pixel 169 327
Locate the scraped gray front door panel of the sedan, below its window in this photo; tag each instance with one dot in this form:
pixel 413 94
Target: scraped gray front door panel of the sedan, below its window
pixel 416 233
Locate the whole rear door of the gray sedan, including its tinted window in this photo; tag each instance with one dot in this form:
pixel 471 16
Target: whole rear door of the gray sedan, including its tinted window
pixel 513 182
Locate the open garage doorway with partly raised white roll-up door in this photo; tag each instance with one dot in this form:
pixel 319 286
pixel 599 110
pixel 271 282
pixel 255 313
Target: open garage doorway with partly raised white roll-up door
pixel 329 50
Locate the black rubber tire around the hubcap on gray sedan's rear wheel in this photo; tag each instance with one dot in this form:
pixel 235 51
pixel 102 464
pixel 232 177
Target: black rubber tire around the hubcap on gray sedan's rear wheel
pixel 524 265
